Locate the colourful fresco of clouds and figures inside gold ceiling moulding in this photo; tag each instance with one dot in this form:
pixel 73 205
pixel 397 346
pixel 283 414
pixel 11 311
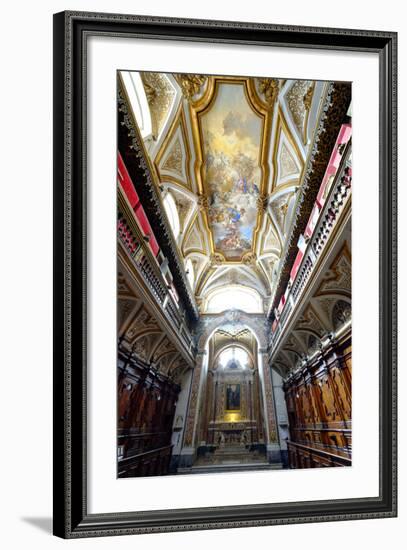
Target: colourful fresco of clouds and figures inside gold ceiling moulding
pixel 232 132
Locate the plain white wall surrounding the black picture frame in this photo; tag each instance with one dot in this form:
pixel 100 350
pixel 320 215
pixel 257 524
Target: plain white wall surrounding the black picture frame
pixel 26 274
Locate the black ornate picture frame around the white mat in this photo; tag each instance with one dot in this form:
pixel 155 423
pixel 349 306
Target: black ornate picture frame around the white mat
pixel 71 33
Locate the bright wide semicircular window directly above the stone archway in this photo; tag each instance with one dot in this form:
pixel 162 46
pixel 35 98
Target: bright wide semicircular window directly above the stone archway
pixel 236 297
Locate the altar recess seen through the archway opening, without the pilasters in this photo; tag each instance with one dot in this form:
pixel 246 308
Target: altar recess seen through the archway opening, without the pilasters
pixel 231 429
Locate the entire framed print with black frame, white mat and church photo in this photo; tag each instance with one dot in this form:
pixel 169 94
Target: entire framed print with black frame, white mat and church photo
pixel 225 274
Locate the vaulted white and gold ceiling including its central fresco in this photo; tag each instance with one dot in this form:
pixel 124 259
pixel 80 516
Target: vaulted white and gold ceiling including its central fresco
pixel 231 153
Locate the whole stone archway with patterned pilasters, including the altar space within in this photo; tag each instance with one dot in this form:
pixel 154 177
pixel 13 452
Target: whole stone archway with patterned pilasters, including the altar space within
pixel 232 418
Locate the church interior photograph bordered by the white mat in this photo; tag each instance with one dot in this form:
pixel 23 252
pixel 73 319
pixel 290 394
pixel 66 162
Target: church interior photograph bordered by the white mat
pixel 233 274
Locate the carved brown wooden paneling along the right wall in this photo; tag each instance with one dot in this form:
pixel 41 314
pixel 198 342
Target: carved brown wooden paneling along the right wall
pixel 319 405
